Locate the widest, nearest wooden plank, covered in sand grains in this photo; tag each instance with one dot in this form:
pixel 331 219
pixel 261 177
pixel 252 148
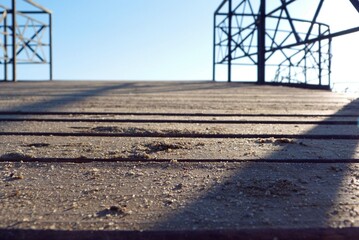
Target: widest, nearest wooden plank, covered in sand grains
pixel 178 196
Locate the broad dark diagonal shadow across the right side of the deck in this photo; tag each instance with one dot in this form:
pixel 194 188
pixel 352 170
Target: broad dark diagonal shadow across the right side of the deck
pixel 274 195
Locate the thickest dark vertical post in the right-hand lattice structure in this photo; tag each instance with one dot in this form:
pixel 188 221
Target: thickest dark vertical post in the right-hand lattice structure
pixel 261 43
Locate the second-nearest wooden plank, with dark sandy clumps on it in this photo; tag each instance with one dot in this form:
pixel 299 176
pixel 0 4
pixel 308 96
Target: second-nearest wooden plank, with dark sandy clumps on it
pixel 30 148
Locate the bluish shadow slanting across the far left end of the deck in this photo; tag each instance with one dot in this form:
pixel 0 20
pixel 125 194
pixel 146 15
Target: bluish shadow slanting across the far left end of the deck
pixel 80 92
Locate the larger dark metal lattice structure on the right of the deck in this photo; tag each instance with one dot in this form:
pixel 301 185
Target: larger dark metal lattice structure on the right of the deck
pixel 274 38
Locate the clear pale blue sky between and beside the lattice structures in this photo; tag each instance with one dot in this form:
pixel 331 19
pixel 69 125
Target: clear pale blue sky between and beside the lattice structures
pixel 161 39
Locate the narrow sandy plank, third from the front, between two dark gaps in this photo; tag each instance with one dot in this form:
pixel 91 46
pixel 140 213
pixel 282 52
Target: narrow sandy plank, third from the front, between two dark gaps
pixel 173 128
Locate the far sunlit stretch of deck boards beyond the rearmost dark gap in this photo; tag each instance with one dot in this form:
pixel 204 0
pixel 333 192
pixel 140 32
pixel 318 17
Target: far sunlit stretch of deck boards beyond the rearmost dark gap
pixel 165 97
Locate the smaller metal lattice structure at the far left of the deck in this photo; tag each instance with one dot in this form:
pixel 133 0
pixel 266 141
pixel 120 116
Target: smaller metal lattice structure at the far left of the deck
pixel 25 37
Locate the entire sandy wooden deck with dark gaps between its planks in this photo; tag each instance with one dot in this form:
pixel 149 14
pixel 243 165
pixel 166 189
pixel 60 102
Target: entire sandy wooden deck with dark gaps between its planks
pixel 180 160
